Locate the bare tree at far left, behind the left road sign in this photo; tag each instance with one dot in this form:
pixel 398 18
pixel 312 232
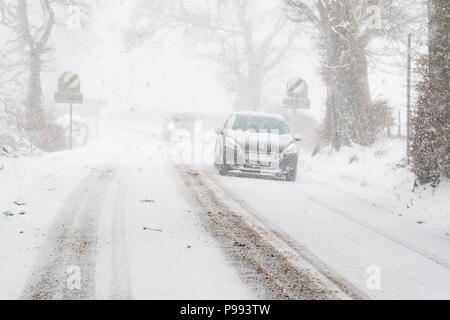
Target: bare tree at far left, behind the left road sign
pixel 29 25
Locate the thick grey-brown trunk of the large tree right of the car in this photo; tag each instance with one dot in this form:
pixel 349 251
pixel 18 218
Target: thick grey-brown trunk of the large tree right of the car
pixel 348 116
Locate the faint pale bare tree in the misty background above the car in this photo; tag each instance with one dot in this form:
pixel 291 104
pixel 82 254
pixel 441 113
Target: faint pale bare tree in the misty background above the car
pixel 246 41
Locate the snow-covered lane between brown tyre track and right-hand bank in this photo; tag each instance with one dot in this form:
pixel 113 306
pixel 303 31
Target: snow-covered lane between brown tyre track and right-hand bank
pixel 352 237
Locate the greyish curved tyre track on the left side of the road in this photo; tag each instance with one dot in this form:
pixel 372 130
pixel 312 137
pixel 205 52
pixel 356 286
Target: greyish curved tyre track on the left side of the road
pixel 71 241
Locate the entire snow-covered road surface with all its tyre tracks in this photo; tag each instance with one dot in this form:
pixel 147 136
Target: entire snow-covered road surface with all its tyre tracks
pixel 129 224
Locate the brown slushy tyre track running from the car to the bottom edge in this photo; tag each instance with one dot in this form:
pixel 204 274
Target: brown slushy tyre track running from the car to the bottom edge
pixel 279 271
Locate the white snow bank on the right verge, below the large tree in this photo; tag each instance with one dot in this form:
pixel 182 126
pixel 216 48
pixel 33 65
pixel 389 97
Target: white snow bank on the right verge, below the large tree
pixel 379 175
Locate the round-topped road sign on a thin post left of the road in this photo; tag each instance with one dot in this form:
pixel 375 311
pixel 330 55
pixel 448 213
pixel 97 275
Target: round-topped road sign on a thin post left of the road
pixel 69 85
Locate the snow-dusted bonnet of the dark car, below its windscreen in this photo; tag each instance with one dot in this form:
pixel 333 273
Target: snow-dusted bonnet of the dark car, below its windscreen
pixel 266 141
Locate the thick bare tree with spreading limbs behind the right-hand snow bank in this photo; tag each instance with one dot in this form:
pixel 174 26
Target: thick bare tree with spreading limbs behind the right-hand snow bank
pixel 345 29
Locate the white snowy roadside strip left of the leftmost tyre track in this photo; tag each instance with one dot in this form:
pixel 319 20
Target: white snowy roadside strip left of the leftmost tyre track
pixel 32 191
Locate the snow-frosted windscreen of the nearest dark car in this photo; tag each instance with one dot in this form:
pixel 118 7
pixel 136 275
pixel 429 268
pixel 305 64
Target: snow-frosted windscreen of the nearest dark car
pixel 260 123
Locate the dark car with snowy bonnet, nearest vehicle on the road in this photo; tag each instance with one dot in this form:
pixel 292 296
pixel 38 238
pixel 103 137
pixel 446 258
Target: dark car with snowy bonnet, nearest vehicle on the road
pixel 257 143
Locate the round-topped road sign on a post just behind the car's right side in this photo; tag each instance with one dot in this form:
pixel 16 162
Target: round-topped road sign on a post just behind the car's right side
pixel 297 98
